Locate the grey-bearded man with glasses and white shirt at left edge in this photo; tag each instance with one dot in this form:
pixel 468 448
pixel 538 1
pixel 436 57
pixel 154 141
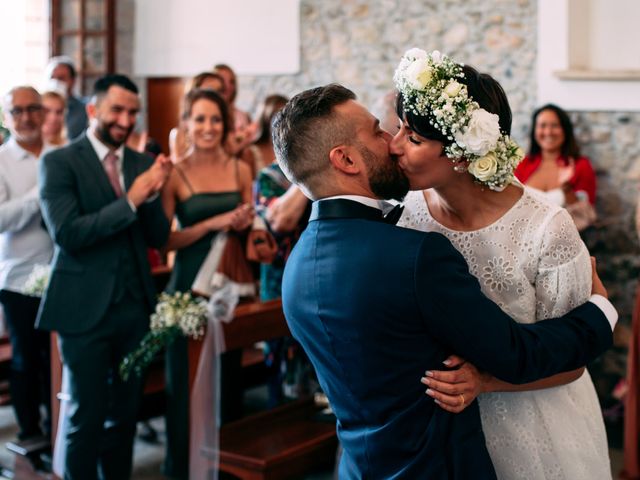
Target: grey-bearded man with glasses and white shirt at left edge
pixel 24 243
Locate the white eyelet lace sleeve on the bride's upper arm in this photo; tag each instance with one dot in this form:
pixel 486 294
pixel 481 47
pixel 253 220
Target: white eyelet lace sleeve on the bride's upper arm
pixel 563 280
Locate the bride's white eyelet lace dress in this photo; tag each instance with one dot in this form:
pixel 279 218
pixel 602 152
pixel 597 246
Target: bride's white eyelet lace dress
pixel 533 264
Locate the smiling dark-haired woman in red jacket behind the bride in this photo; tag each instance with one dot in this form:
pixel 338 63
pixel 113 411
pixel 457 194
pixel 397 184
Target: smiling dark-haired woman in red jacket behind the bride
pixel 555 166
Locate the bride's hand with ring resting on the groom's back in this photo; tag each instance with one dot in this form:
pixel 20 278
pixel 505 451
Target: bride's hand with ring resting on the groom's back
pixel 456 388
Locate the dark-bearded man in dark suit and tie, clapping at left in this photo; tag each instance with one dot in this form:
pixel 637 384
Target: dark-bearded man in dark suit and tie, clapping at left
pixel 99 200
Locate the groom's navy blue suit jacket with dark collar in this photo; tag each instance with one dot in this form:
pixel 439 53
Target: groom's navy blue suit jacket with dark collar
pixel 374 306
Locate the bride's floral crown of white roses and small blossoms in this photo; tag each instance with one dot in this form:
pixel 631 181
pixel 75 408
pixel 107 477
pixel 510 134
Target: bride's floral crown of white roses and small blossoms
pixel 429 88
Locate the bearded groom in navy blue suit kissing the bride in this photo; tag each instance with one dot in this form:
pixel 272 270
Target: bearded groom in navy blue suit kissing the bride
pixel 375 305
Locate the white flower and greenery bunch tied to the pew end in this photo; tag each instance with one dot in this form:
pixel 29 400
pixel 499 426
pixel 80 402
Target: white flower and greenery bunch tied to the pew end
pixel 178 314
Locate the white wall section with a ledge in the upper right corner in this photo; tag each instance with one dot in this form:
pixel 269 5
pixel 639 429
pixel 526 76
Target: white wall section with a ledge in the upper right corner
pixel 585 60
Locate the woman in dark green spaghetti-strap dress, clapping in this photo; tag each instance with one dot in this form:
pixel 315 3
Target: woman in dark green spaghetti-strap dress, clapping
pixel 208 192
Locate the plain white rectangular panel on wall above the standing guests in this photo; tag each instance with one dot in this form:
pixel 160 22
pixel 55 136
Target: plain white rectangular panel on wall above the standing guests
pixel 183 38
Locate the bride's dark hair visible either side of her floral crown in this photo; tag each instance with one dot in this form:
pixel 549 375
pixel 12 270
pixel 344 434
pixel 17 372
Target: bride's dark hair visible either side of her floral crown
pixel 482 88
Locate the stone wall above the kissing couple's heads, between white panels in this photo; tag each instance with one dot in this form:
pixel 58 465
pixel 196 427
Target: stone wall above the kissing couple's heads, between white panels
pixel 358 43
